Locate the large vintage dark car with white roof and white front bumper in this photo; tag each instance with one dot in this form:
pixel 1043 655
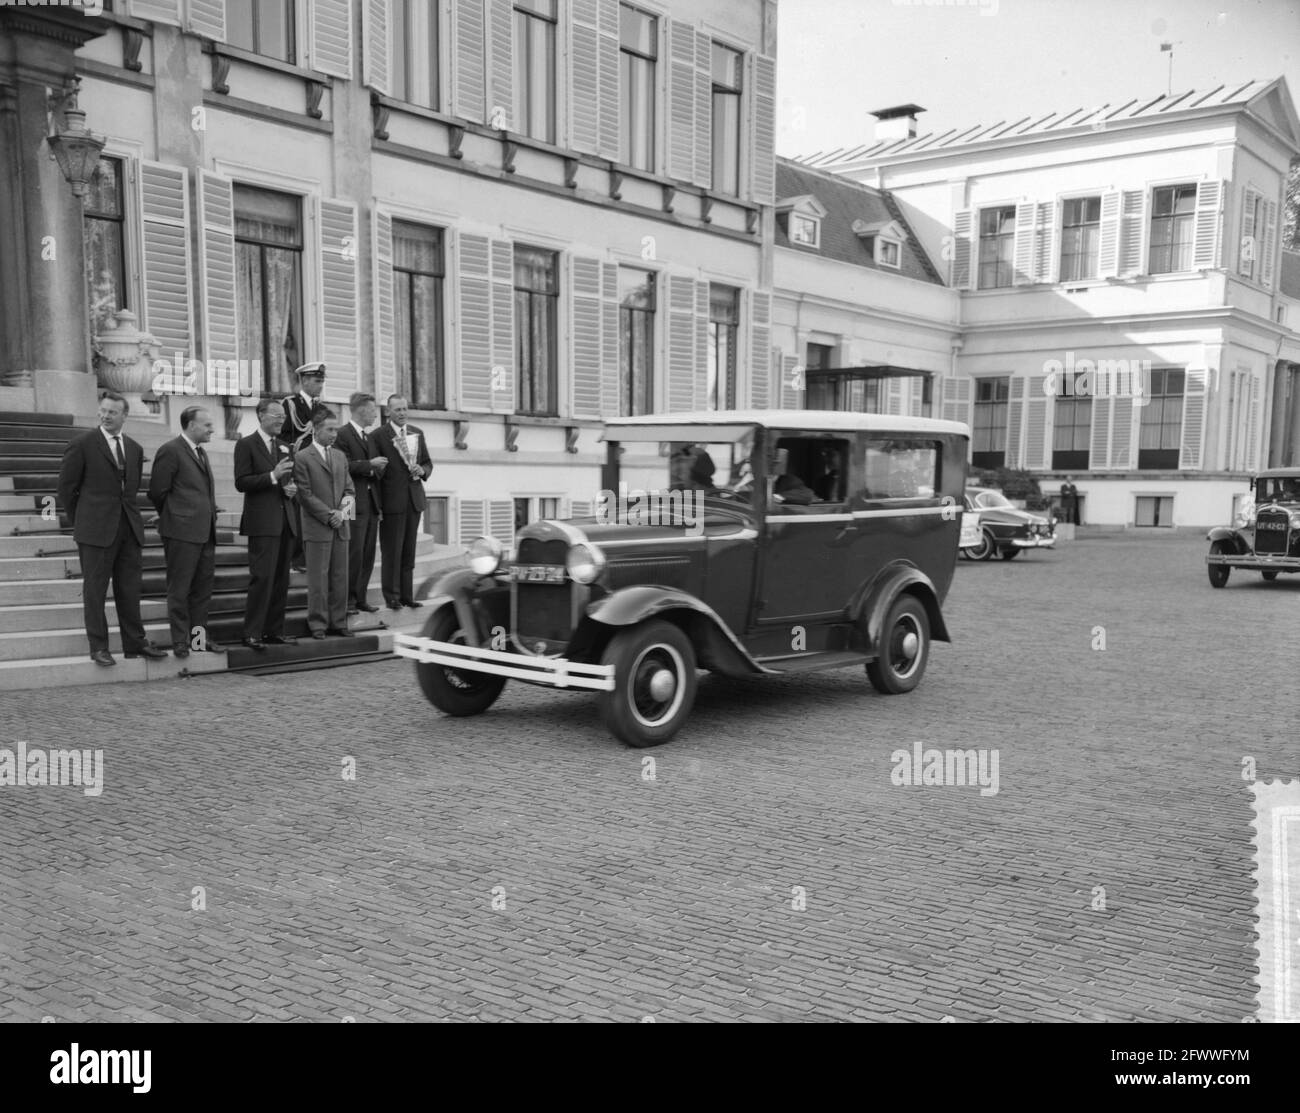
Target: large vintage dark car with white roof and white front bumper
pixel 749 544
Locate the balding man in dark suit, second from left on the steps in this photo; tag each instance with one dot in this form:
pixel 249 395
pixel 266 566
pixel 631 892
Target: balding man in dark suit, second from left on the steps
pixel 183 492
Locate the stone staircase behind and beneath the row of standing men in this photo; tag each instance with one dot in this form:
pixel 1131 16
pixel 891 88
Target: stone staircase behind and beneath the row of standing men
pixel 42 636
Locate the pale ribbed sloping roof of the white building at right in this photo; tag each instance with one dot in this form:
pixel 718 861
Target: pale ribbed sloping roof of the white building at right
pixel 1271 101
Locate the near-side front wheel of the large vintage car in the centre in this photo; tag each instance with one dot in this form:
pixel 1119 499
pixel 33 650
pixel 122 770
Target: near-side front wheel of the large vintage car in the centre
pixel 655 685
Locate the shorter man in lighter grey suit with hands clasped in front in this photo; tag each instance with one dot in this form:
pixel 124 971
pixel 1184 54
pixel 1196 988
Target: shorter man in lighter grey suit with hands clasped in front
pixel 328 500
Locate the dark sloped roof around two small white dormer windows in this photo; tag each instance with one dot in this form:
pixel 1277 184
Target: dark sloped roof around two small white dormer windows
pixel 846 202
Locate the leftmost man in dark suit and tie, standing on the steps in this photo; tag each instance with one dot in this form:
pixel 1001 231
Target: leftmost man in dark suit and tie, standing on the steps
pixel 98 482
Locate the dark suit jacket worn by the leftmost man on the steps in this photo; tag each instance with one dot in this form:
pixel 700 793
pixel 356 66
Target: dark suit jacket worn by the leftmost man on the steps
pixel 94 495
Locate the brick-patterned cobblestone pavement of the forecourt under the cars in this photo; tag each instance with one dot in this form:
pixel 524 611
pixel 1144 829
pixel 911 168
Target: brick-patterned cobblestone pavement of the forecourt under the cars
pixel 623 898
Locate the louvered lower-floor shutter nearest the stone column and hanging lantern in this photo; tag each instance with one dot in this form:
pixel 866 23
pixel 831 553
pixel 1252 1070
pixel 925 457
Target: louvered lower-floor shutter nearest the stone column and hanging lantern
pixel 166 218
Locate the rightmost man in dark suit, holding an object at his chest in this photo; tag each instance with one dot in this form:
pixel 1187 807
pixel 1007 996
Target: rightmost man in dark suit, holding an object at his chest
pixel 402 501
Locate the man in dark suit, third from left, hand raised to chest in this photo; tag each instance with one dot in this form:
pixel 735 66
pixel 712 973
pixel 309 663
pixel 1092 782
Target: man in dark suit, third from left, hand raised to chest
pixel 265 473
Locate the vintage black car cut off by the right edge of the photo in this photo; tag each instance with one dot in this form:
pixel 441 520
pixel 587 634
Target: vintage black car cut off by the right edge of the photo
pixel 1267 535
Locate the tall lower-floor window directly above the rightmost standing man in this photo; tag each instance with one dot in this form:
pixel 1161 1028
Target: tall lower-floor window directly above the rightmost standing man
pixel 418 280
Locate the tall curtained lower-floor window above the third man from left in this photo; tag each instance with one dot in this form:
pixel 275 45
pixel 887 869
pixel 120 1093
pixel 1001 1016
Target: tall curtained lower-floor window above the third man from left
pixel 270 283
